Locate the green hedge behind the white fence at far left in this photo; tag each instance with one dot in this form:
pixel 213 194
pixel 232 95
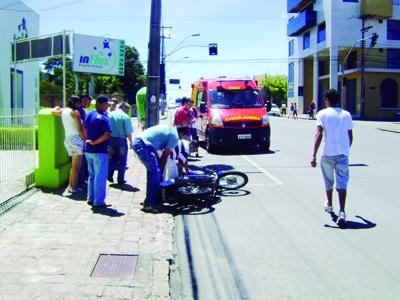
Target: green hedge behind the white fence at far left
pixel 18 138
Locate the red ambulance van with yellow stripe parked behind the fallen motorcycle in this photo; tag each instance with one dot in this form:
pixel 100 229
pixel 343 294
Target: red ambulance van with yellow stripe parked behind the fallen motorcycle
pixel 230 112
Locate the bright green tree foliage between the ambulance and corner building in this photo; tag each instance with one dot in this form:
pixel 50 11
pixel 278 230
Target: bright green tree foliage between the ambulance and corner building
pixel 275 88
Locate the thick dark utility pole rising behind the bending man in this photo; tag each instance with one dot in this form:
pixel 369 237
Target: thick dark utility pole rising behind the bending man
pixel 153 66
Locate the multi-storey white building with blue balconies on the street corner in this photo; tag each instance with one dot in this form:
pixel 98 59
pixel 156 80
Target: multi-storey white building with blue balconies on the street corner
pixel 323 33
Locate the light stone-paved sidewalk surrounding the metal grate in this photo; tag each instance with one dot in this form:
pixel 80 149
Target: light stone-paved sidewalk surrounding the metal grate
pixel 50 245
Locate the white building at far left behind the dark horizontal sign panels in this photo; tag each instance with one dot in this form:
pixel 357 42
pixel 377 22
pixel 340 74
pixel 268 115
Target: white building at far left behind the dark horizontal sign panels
pixel 17 21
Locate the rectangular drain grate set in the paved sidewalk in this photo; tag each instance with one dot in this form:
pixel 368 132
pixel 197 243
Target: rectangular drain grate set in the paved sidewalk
pixel 115 265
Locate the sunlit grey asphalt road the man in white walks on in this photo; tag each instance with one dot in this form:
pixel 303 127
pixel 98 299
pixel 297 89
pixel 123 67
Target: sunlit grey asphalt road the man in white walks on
pixel 274 240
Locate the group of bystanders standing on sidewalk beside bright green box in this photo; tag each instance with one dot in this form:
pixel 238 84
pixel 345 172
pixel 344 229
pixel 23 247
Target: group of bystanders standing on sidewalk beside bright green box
pixel 97 143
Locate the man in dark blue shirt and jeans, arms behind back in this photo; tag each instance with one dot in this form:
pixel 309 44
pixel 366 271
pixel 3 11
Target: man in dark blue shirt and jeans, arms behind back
pixel 98 132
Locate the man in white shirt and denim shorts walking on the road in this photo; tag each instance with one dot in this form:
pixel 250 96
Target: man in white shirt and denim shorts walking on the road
pixel 335 124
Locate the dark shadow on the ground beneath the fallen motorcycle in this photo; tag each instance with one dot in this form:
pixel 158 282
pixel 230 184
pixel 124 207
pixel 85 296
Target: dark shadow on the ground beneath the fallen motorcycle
pixel 189 207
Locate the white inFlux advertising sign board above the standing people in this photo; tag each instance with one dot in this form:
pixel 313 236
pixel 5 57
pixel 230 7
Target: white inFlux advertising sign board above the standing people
pixel 98 55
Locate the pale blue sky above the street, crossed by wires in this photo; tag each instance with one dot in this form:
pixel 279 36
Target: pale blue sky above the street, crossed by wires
pixel 251 36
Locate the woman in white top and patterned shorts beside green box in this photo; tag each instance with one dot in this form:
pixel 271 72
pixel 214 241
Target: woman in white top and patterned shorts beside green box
pixel 75 137
